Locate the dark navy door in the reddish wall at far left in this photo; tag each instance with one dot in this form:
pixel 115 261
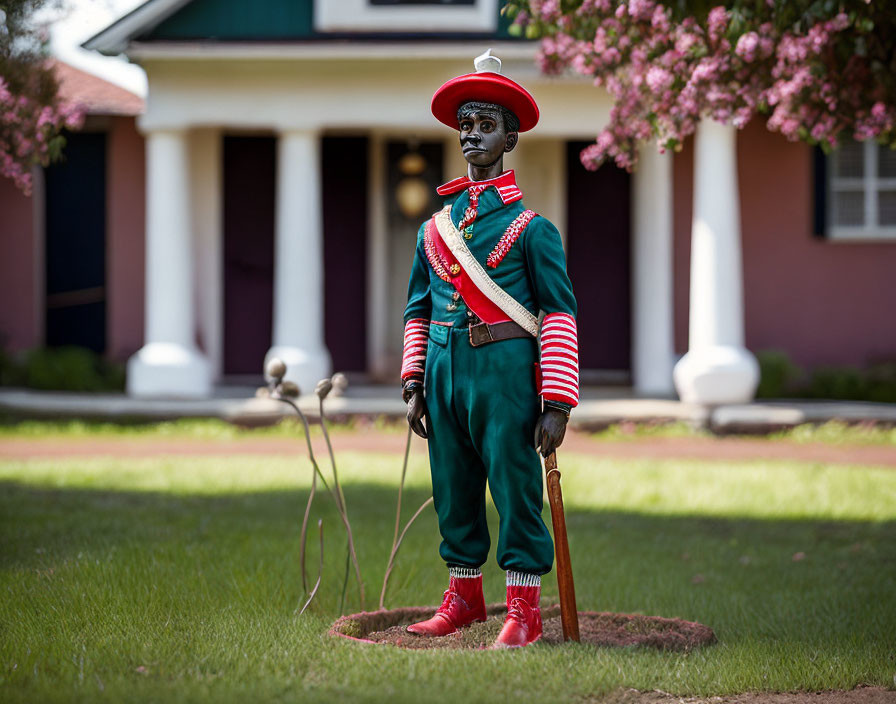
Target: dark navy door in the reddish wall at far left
pixel 76 244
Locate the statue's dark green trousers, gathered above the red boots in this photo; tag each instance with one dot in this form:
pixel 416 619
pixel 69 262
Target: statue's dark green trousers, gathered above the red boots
pixel 483 407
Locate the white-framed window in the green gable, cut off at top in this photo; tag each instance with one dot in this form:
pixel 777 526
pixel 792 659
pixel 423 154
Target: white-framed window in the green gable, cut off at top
pixel 394 16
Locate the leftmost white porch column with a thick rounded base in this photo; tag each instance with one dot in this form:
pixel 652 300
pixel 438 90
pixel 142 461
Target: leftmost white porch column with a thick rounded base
pixel 169 363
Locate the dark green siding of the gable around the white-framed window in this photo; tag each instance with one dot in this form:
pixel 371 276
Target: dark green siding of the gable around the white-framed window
pixel 257 20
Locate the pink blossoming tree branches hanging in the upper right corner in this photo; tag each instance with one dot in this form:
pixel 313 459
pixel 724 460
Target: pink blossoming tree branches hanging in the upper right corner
pixel 814 70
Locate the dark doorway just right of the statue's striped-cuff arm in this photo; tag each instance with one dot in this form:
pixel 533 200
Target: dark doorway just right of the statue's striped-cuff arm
pixel 599 261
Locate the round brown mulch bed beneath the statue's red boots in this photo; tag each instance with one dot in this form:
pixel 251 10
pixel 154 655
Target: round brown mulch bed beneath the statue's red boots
pixel 604 629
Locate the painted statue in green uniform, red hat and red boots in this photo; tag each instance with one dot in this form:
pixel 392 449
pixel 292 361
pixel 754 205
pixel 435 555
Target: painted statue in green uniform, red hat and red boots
pixel 481 367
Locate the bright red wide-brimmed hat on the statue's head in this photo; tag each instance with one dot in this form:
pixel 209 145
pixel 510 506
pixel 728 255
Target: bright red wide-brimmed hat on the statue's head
pixel 484 87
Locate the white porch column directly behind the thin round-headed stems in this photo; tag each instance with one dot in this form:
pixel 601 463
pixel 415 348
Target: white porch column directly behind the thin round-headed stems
pixel 299 261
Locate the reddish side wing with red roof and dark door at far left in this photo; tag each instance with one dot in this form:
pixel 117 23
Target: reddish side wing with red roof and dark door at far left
pixel 71 254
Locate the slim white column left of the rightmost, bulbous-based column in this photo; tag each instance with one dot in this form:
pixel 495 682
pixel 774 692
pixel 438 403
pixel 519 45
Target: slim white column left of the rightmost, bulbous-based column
pixel 652 327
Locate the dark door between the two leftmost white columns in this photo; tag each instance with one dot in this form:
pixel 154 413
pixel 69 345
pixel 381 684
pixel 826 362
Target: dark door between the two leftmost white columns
pixel 250 167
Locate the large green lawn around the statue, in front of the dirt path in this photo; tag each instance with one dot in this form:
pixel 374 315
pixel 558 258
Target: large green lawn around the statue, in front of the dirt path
pixel 177 579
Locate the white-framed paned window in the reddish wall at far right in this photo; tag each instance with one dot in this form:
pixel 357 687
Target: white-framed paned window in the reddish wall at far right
pixel 862 191
